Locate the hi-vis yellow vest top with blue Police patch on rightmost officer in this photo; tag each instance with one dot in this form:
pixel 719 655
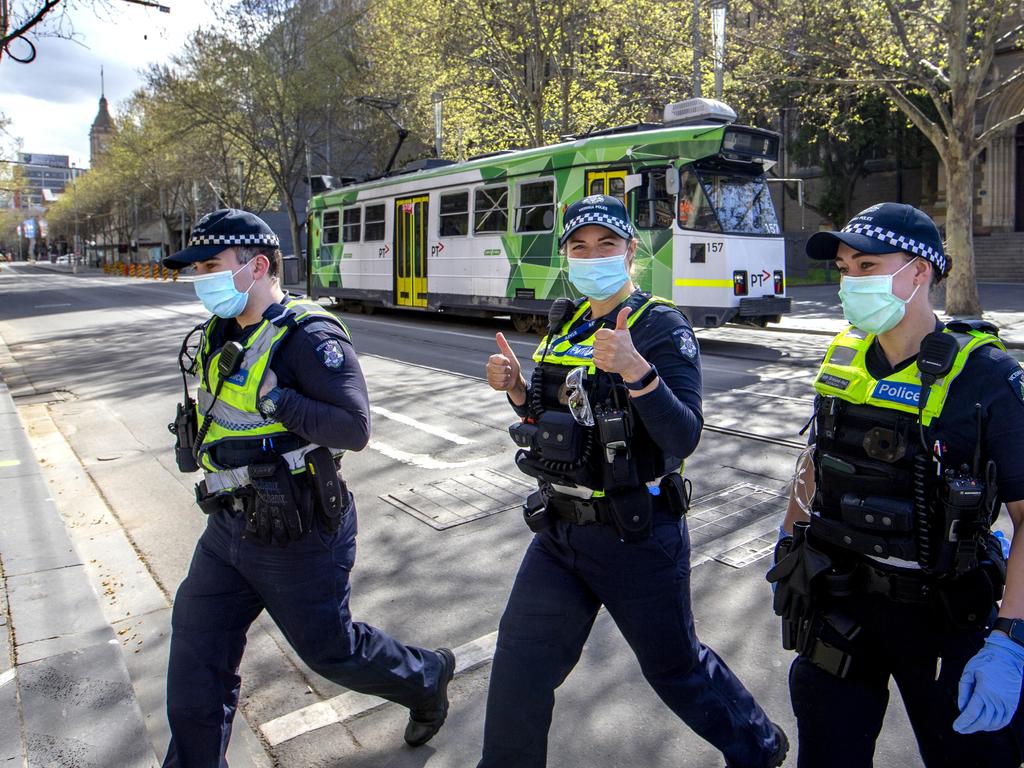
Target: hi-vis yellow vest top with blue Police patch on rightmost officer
pixel 844 375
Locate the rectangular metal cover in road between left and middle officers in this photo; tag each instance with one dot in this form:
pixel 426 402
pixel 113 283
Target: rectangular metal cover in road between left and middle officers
pixel 454 501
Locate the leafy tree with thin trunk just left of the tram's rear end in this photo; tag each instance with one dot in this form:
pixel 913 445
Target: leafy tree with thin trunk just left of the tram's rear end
pixel 266 80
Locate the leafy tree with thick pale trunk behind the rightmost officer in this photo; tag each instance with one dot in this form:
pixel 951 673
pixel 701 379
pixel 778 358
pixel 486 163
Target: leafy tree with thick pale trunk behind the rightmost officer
pixel 935 63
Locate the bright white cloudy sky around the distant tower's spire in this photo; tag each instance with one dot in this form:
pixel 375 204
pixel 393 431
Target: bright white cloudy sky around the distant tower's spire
pixel 53 102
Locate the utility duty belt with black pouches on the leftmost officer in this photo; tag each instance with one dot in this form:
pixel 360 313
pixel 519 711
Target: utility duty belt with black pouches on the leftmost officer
pixel 278 503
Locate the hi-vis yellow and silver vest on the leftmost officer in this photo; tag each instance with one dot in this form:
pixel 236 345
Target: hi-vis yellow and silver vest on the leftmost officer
pixel 235 415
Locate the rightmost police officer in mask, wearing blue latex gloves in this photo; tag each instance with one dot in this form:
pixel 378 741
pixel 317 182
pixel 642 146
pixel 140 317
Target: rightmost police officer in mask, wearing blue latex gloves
pixel 919 435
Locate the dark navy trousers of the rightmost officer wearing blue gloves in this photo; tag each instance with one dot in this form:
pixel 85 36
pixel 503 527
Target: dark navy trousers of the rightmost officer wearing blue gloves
pixel 839 719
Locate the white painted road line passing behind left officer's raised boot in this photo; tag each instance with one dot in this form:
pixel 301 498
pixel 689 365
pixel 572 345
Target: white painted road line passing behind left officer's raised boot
pixel 352 705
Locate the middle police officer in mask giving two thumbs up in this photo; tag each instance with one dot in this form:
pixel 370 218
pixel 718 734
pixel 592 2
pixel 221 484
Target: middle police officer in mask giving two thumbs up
pixel 613 410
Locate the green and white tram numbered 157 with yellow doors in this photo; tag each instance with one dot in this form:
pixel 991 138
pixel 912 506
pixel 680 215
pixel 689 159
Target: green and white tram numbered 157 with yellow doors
pixel 482 237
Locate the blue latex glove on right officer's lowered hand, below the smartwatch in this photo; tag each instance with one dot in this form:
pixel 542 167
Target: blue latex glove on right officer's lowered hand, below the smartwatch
pixel 991 687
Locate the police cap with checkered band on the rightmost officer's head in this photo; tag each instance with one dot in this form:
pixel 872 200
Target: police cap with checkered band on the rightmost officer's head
pixel 886 228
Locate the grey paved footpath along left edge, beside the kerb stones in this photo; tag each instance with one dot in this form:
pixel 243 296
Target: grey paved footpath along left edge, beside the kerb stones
pixel 66 694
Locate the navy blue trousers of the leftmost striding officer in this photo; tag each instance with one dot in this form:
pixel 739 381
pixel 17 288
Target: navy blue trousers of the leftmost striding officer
pixel 305 588
